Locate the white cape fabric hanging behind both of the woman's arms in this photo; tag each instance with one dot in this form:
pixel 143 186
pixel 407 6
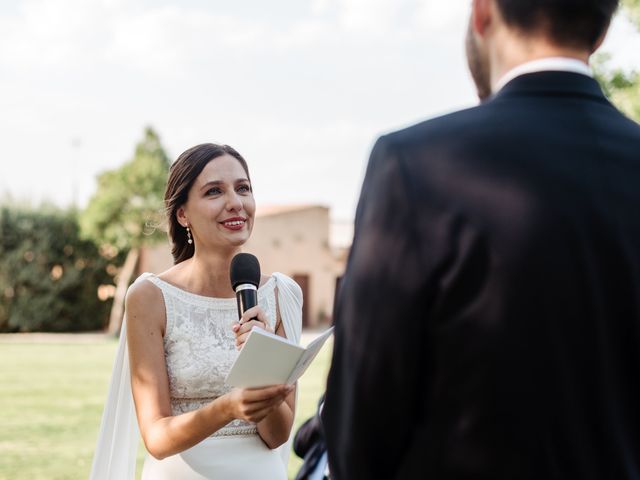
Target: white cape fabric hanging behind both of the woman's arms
pixel 118 439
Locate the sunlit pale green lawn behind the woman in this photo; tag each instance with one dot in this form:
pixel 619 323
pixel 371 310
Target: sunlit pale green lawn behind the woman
pixel 51 400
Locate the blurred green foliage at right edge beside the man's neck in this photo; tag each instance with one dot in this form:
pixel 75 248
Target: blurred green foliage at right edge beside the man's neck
pixel 623 88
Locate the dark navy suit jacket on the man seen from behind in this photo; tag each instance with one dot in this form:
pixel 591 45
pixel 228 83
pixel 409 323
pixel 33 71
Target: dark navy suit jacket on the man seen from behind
pixel 488 326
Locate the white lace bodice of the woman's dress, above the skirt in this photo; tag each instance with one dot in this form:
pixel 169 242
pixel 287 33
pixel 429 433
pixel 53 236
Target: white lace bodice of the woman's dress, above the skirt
pixel 200 346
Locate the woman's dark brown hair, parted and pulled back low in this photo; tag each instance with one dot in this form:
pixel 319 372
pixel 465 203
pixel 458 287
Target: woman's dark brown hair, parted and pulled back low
pixel 182 174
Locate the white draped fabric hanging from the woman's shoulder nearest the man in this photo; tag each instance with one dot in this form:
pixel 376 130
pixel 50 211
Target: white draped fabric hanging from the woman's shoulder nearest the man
pixel 290 303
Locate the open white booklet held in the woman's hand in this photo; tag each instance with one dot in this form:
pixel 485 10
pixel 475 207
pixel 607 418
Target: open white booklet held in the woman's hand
pixel 268 359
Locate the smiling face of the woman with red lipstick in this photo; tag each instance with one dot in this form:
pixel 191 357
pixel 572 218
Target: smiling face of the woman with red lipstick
pixel 220 208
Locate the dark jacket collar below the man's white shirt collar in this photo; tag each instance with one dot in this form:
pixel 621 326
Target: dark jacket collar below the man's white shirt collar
pixel 552 83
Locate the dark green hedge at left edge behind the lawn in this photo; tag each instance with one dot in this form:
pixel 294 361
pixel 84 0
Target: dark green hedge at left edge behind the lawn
pixel 49 276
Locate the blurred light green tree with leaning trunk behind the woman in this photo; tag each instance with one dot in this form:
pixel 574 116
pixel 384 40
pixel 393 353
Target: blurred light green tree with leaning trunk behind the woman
pixel 126 212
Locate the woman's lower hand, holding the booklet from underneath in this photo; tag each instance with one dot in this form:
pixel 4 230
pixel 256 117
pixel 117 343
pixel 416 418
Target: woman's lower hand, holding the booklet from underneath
pixel 254 404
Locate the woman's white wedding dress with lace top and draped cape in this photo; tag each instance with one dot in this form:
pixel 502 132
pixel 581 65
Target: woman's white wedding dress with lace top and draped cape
pixel 199 350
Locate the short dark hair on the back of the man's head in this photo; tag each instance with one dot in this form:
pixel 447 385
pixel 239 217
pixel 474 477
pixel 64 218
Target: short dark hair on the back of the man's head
pixel 571 23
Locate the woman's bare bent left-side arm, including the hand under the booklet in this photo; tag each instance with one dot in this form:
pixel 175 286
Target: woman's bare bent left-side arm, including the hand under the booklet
pixel 162 433
